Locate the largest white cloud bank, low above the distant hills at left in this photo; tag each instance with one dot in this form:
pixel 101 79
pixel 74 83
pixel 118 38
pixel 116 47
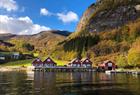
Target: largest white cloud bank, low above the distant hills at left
pixel 21 25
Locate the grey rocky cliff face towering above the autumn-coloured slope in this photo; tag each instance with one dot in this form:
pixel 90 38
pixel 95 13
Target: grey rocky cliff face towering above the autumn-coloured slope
pixel 109 14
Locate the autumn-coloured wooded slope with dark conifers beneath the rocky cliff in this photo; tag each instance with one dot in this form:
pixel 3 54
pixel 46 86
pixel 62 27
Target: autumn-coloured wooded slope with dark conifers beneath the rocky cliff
pixel 103 45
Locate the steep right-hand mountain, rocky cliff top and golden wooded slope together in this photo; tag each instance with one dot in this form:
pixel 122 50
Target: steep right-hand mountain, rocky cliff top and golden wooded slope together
pixel 108 29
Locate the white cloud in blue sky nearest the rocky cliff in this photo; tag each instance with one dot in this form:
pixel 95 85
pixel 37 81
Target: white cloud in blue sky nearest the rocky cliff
pixel 68 17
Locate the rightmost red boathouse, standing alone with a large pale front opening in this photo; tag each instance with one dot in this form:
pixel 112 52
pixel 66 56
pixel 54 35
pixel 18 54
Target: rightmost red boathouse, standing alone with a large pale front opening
pixel 107 65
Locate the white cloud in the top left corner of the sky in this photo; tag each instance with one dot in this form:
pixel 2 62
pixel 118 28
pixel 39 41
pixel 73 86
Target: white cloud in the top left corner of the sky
pixel 8 5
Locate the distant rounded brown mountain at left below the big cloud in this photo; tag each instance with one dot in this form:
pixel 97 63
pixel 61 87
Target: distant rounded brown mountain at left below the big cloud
pixel 42 42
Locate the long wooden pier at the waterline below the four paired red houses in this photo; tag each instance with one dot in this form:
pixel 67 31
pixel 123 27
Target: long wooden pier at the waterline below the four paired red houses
pixel 64 69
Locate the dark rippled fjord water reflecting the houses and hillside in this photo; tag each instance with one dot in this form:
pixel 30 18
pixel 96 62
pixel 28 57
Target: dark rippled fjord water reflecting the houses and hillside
pixel 76 83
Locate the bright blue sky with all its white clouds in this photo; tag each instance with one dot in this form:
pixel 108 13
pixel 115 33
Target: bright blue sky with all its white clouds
pixel 33 16
